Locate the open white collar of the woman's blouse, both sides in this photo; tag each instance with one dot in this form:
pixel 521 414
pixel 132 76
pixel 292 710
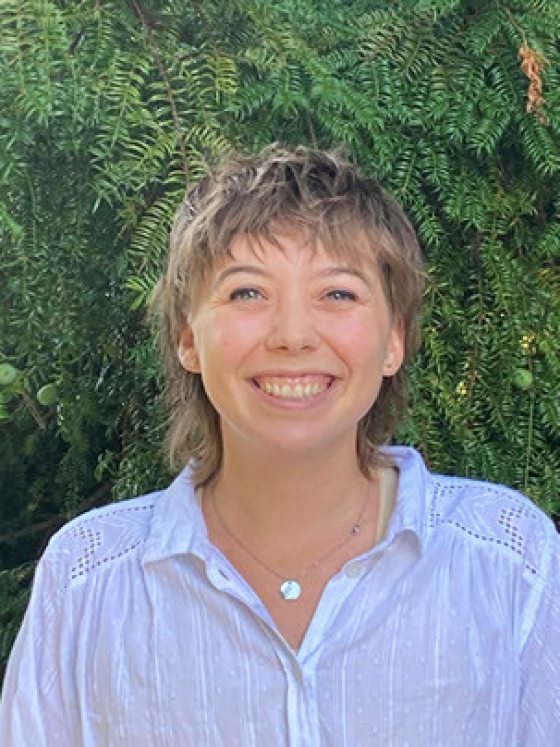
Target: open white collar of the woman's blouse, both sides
pixel 178 525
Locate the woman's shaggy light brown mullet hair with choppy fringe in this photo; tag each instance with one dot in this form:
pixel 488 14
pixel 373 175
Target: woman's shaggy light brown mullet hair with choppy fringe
pixel 281 190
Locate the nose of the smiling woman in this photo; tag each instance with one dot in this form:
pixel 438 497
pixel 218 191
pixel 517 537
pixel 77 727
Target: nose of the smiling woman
pixel 292 327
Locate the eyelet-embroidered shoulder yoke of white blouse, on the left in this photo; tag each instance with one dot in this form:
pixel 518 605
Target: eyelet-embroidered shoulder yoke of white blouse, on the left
pixel 98 539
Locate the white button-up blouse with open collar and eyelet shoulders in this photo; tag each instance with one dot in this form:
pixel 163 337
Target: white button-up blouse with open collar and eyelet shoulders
pixel 446 634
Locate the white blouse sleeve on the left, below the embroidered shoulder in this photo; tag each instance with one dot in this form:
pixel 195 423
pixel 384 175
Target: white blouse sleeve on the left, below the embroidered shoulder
pixel 37 708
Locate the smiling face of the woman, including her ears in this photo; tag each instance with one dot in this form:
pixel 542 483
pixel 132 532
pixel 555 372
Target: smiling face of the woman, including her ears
pixel 292 345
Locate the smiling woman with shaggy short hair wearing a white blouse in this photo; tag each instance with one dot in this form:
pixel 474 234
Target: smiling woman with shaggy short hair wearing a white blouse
pixel 299 583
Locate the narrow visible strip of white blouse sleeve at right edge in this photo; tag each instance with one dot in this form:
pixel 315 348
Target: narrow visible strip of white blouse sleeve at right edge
pixel 539 714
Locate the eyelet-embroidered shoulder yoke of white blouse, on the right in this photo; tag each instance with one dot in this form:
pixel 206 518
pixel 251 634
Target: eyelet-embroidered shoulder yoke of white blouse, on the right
pixel 492 515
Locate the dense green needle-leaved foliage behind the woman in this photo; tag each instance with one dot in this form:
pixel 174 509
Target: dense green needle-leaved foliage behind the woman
pixel 109 108
